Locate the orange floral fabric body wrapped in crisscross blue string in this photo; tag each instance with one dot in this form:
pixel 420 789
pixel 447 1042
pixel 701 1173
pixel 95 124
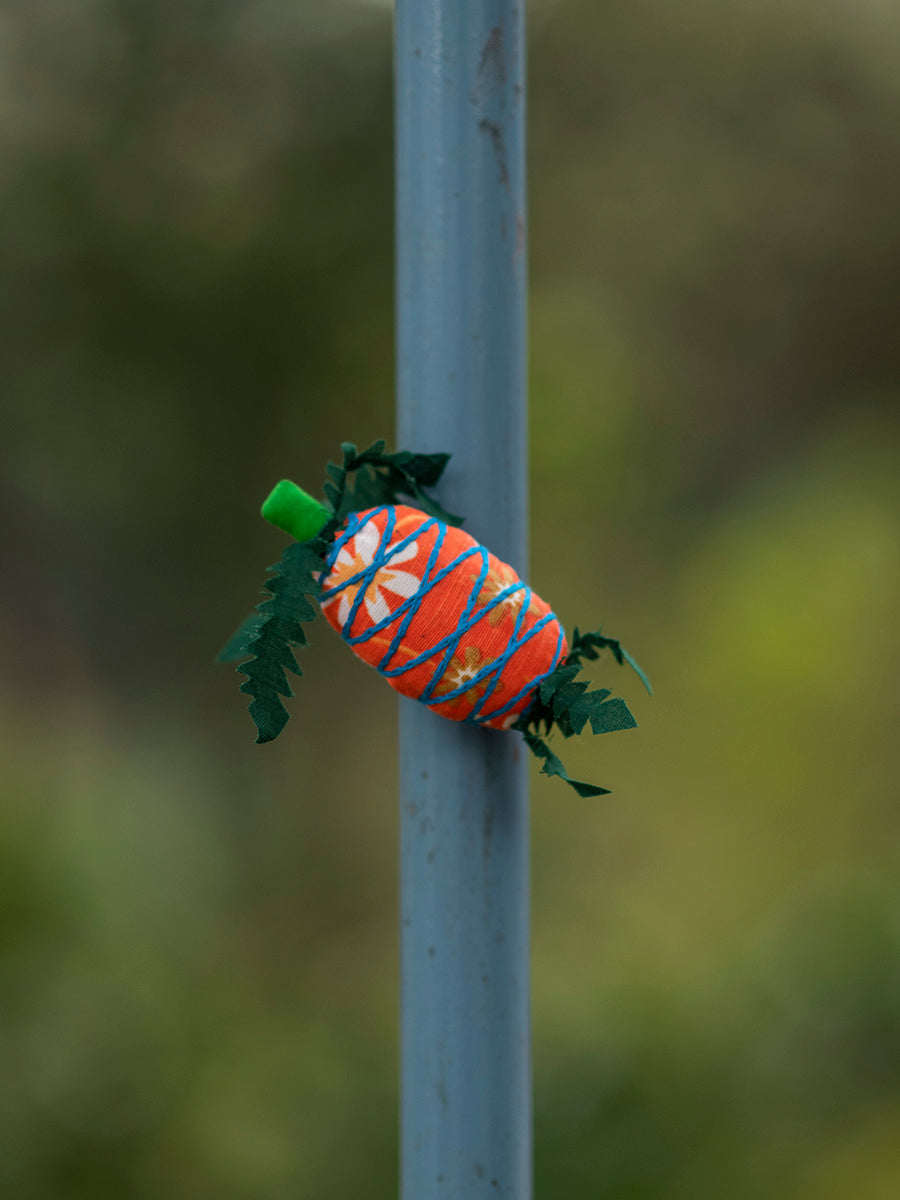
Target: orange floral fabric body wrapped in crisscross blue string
pixel 469 617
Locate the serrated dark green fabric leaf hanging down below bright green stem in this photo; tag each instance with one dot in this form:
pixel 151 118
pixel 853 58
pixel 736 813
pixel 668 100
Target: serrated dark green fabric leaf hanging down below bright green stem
pixel 269 635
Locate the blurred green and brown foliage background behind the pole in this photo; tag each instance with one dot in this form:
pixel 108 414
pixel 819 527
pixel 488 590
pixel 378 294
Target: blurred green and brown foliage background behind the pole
pixel 199 971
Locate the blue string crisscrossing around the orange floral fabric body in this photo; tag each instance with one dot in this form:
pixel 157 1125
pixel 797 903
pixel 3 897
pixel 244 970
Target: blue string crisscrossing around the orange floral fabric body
pixel 406 613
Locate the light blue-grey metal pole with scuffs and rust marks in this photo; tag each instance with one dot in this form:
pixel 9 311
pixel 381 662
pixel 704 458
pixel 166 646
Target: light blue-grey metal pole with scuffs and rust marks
pixel 466 1107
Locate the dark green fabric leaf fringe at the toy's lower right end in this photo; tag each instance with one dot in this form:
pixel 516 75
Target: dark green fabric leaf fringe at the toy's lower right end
pixel 565 701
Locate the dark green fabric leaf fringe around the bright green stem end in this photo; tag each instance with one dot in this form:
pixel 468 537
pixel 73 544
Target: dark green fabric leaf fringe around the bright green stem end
pixel 268 637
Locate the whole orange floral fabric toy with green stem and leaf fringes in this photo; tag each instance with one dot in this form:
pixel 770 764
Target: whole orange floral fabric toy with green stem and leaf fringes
pixel 428 607
